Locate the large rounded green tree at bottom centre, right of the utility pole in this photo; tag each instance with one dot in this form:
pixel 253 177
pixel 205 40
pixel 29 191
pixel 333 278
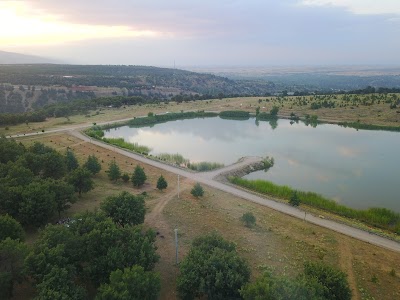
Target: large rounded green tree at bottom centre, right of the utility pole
pixel 212 269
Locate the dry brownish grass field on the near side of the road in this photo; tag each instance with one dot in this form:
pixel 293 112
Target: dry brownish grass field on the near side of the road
pixel 278 242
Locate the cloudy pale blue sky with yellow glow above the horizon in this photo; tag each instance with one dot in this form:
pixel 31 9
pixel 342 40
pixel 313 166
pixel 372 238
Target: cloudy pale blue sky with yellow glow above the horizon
pixel 204 32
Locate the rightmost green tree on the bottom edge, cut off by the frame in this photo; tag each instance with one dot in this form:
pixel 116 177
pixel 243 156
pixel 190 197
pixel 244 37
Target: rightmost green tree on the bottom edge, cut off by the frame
pixel 334 281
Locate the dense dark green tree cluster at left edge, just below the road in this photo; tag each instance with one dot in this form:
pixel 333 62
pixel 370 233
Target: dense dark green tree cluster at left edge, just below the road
pixel 37 181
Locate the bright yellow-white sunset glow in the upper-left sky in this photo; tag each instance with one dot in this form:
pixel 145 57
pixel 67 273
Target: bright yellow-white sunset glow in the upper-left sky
pixel 21 25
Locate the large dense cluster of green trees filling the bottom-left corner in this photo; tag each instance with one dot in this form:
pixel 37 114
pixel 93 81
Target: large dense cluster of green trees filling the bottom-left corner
pixel 112 255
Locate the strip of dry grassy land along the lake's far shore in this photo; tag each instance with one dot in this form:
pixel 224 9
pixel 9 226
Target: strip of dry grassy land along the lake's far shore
pixel 366 109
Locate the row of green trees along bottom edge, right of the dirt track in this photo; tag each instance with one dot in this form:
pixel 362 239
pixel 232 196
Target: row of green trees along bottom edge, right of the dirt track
pixel 213 269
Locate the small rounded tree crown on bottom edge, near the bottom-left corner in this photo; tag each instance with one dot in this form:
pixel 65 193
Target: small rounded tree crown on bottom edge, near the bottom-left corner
pixel 59 284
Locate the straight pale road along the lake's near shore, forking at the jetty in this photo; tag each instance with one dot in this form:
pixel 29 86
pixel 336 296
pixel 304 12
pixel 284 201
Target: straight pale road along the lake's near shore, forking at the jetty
pixel 207 179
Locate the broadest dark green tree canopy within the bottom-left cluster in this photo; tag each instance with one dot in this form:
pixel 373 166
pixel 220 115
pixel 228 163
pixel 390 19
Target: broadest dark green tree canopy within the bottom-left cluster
pixel 90 248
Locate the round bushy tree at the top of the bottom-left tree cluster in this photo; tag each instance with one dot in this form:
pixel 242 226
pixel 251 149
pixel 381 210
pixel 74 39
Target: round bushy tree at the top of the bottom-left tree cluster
pixel 125 209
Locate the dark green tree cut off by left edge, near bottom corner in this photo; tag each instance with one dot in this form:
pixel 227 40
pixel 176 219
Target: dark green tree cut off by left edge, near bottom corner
pixel 12 256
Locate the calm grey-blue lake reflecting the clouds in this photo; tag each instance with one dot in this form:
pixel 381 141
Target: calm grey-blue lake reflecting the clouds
pixel 357 168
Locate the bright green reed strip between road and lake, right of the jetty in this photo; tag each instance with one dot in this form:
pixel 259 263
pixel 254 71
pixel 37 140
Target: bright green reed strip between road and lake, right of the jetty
pixel 379 217
